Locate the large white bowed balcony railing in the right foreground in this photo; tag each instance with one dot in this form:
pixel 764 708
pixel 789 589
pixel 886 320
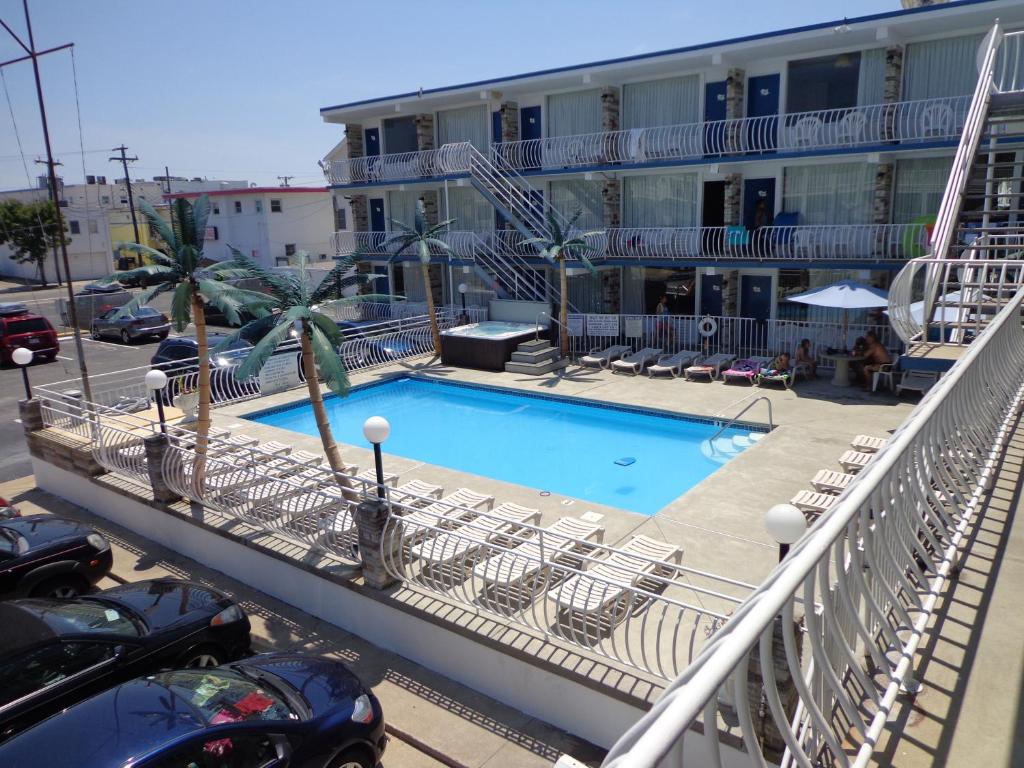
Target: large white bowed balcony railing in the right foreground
pixel 873 568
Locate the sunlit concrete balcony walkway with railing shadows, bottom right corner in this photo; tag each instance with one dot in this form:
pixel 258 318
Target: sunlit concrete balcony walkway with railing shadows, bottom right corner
pixel 972 664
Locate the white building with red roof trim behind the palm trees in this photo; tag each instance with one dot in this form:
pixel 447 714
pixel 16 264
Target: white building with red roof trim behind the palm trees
pixel 270 224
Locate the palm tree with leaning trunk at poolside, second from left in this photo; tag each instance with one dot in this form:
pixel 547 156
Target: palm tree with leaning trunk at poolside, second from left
pixel 298 305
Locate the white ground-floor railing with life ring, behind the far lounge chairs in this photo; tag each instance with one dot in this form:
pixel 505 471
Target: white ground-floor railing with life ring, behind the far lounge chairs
pixel 738 336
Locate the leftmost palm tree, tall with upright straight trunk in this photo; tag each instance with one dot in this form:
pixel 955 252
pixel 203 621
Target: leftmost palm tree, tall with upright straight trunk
pixel 180 271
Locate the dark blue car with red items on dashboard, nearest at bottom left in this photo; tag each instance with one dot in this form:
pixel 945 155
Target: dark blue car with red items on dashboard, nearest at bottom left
pixel 276 710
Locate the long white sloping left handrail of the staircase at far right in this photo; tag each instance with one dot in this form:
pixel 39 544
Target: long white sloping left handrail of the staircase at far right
pixel 953 198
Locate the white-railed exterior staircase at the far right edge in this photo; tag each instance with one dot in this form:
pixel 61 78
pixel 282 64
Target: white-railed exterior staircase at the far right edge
pixel 943 302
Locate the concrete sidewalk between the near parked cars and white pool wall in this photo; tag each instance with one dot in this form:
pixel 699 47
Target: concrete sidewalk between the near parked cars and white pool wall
pixel 436 721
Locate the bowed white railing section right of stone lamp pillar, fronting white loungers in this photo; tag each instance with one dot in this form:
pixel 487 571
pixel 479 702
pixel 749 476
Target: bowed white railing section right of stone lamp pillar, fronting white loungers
pixel 655 617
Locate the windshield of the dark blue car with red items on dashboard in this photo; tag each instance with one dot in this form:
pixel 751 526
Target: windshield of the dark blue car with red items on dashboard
pixel 227 697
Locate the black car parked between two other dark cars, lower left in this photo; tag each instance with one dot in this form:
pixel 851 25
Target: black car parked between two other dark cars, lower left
pixel 55 654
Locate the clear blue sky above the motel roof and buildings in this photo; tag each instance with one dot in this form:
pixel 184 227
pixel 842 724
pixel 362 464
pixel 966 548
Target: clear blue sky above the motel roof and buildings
pixel 233 89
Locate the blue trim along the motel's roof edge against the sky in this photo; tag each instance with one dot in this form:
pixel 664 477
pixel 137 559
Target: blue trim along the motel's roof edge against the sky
pixel 669 53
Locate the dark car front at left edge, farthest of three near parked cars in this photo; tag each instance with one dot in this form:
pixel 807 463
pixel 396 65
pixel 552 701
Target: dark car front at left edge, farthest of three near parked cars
pixel 48 557
